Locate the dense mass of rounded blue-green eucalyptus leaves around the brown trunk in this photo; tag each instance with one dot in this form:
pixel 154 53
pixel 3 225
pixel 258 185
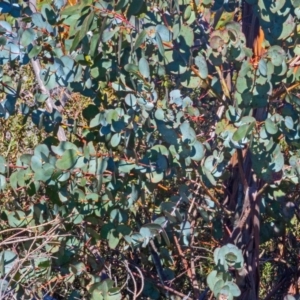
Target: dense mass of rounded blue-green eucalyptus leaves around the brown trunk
pixel 146 134
